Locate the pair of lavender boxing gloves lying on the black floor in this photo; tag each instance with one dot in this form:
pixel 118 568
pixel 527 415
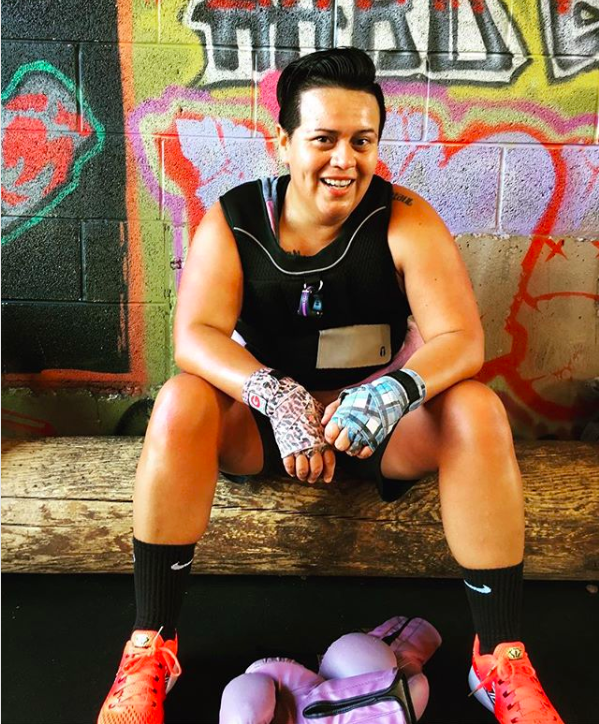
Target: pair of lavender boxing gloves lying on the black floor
pixel 367 681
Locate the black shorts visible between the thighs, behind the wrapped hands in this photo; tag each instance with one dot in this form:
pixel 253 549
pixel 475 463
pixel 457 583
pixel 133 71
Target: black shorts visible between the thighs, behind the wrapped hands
pixel 369 469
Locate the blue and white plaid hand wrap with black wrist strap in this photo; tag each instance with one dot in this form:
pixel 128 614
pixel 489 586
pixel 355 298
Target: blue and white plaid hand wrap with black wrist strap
pixel 371 411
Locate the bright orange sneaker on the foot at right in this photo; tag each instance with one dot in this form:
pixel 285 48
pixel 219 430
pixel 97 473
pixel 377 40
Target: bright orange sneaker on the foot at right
pixel 506 684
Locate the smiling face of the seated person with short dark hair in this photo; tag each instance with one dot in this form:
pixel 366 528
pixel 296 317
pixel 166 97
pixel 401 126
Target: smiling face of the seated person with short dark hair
pixel 333 153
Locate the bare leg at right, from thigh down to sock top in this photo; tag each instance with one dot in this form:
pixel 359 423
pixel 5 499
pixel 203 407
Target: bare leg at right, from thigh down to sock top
pixel 465 435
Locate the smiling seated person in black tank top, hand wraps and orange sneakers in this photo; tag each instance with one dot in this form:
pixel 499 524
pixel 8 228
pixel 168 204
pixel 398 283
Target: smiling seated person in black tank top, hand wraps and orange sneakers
pixel 319 271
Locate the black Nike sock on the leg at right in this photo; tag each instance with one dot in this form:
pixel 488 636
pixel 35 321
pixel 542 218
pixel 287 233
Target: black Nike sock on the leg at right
pixel 495 598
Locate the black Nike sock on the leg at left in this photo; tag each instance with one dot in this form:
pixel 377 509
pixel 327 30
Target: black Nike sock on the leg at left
pixel 160 573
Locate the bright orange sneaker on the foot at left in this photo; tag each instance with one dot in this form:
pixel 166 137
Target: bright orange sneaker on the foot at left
pixel 147 672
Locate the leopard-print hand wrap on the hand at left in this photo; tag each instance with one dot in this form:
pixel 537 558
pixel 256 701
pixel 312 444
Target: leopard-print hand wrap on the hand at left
pixel 294 414
